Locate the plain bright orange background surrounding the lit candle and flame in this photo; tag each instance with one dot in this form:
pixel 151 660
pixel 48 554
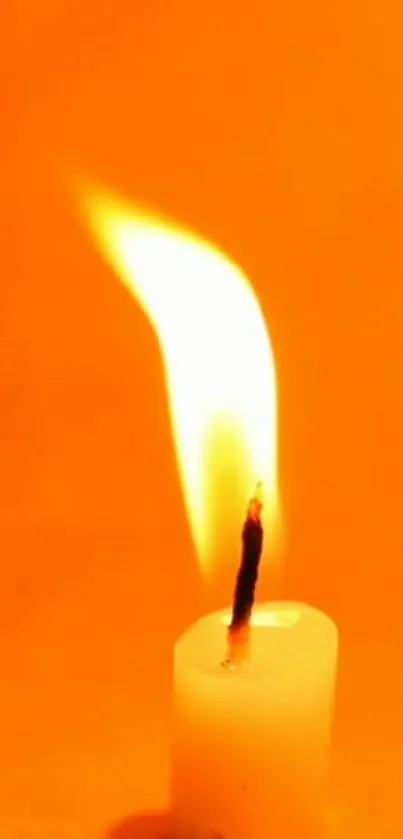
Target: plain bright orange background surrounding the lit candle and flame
pixel 275 130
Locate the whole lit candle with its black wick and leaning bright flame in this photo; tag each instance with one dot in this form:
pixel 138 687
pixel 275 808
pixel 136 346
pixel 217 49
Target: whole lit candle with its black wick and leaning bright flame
pixel 251 739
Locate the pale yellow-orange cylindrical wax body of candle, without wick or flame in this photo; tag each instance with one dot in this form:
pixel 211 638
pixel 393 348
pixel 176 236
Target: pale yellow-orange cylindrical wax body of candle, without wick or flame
pixel 251 746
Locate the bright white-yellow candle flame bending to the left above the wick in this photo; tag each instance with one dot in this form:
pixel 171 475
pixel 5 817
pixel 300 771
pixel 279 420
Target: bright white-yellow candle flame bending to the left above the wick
pixel 215 346
